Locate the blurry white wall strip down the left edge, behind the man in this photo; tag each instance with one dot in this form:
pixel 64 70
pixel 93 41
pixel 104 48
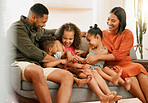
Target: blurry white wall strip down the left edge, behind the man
pixel 10 11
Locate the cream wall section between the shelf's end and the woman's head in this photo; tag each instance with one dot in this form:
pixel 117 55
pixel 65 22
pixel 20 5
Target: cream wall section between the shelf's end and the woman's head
pixel 102 9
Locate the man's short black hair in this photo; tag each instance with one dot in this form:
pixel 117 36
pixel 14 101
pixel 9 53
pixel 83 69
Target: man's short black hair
pixel 39 9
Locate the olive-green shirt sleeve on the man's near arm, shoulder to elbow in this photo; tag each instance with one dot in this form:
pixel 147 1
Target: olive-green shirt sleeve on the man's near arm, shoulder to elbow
pixel 19 36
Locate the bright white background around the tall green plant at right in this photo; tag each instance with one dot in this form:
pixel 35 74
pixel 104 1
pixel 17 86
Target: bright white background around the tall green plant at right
pixel 132 26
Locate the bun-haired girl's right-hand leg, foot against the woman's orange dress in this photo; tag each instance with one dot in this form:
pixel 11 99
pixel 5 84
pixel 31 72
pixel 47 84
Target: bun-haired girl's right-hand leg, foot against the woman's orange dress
pixel 126 84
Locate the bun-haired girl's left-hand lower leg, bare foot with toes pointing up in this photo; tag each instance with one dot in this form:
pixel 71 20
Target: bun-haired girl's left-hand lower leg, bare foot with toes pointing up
pixel 113 78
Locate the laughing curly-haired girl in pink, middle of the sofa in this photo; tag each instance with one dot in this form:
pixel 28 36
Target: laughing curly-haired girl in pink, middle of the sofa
pixel 70 36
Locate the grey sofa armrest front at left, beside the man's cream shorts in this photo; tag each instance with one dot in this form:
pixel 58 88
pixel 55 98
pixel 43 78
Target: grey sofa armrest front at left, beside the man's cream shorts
pixel 16 78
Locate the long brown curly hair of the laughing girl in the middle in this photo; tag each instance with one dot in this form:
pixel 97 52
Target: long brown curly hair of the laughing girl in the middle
pixel 70 27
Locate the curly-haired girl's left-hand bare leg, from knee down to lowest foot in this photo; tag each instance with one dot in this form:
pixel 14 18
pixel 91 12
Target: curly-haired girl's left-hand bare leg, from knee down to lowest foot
pixel 95 88
